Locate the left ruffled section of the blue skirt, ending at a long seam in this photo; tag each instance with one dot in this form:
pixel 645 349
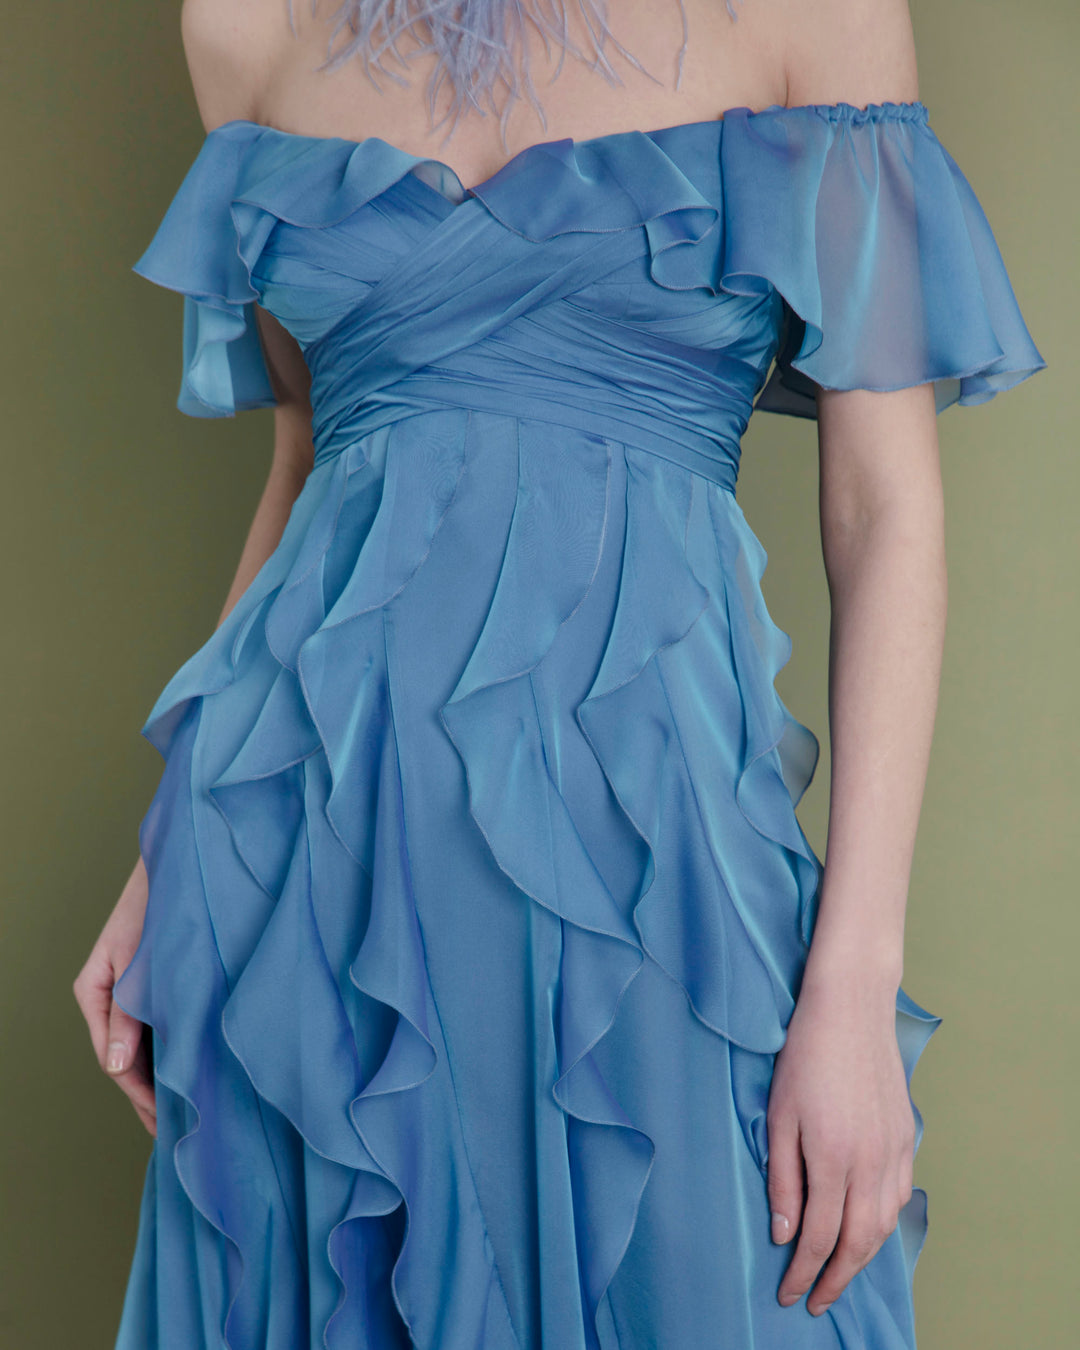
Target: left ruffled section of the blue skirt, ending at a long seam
pixel 281 965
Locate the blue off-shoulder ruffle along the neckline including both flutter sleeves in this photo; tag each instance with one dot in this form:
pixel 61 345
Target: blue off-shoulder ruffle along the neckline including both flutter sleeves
pixel 858 218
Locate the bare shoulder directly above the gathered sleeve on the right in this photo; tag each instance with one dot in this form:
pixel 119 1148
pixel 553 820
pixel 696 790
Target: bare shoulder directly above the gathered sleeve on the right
pixel 857 52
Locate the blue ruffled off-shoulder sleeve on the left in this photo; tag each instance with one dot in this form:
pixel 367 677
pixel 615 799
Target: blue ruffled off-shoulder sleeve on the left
pixel 195 252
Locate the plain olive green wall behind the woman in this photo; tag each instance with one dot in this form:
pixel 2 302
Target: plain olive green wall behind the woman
pixel 122 526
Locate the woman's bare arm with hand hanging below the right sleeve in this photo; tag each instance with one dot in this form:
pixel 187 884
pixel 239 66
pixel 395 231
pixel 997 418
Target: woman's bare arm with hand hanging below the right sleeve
pixel 839 1100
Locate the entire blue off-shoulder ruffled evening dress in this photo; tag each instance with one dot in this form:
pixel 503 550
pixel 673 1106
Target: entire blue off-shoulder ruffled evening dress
pixel 479 901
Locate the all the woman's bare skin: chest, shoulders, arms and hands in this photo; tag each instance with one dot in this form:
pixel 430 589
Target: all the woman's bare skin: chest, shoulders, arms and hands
pixel 840 1123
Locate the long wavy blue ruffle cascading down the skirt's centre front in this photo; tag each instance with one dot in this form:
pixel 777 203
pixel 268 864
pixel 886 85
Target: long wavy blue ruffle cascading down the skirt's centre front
pixel 511 750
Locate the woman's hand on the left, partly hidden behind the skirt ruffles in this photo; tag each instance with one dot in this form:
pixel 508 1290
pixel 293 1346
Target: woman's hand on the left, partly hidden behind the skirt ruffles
pixel 118 1039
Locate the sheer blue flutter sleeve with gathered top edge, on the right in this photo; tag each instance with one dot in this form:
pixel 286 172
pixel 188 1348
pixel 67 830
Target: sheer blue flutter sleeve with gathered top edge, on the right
pixel 886 263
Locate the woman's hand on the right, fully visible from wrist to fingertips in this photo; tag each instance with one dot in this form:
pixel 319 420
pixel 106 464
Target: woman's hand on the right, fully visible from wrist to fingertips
pixel 840 1104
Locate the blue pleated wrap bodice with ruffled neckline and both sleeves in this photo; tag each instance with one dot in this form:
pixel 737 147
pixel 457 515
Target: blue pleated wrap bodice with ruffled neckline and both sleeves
pixel 641 281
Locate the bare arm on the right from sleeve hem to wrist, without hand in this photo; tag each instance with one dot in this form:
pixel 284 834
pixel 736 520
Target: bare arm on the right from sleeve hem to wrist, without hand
pixel 884 541
